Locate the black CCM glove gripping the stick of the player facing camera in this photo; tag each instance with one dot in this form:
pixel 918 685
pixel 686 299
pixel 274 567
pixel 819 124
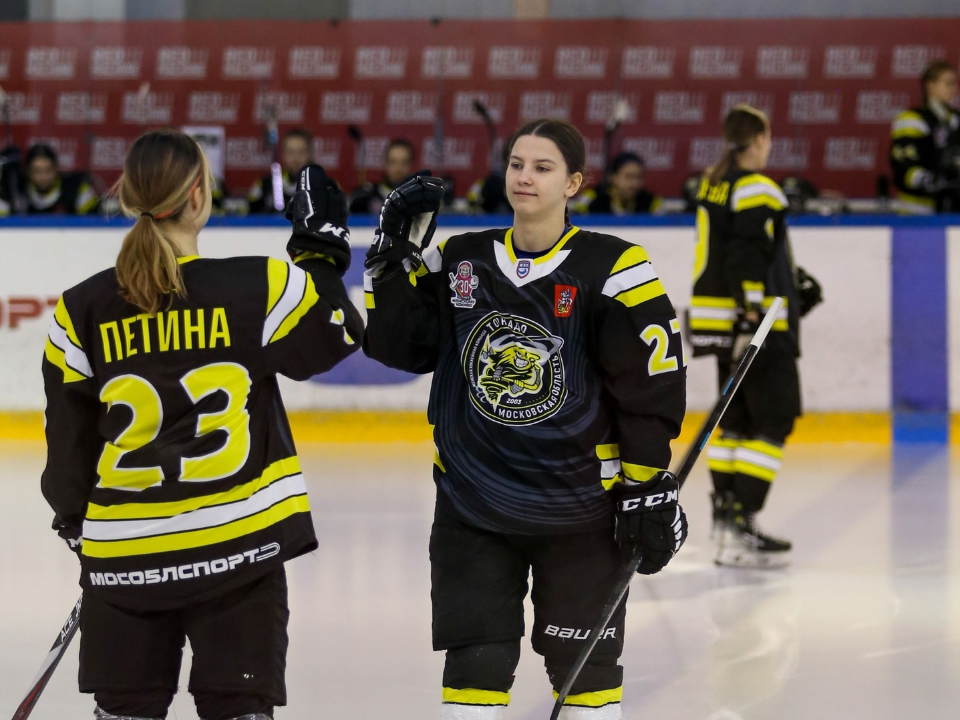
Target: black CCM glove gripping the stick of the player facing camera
pixel 649 515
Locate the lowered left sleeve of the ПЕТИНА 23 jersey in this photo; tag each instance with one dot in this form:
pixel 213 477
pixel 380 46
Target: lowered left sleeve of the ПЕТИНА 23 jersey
pixel 71 417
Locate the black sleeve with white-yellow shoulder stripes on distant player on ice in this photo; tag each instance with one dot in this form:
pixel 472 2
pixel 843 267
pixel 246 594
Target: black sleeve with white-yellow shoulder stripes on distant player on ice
pixel 756 202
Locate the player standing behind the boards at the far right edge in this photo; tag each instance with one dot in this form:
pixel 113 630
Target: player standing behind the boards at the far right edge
pixel 925 147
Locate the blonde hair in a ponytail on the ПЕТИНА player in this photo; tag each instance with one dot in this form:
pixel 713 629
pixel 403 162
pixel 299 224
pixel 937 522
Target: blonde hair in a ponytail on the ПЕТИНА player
pixel 159 174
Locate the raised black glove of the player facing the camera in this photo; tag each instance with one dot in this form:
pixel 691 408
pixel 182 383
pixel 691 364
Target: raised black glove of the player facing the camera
pixel 411 207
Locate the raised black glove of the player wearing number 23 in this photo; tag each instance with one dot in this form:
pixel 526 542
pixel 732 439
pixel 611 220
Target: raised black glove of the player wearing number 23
pixel 318 211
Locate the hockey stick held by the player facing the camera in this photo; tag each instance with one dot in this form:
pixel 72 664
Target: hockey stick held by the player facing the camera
pixel 630 568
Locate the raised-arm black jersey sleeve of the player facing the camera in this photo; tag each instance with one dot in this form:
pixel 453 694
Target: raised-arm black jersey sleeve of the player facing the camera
pixel 403 319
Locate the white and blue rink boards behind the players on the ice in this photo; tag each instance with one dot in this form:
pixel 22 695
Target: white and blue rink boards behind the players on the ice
pixel 887 336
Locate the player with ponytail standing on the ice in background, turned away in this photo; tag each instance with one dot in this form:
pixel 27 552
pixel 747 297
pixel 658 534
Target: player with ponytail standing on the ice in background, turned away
pixel 742 261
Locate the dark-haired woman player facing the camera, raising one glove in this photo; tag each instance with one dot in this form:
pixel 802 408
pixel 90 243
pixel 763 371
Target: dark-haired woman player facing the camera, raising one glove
pixel 559 381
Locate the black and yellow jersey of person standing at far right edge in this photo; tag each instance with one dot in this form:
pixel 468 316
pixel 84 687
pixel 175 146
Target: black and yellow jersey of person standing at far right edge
pixel 918 138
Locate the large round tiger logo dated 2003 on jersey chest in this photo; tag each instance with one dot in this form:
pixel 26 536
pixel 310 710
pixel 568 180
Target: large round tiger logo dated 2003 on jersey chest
pixel 514 370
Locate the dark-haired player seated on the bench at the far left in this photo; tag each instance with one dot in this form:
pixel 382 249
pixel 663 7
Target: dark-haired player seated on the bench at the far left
pixel 49 191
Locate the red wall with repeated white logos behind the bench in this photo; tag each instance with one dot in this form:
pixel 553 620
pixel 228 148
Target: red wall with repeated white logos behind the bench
pixel 830 87
